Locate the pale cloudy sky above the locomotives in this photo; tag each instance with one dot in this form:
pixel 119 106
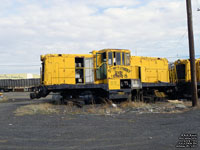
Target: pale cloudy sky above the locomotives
pixel 30 28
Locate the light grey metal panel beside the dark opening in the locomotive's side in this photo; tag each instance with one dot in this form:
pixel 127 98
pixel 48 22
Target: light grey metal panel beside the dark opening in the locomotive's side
pixel 89 70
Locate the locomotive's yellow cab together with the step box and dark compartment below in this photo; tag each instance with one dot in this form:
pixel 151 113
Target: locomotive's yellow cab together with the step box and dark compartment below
pixel 113 68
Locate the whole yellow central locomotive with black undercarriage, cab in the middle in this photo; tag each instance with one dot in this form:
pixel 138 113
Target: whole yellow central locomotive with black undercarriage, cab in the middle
pixel 107 73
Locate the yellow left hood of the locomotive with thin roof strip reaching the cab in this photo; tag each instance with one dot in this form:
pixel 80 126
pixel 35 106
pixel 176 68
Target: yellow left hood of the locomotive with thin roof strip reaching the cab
pixel 60 69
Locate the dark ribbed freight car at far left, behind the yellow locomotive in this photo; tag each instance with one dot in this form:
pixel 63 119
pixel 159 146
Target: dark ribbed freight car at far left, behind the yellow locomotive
pixel 18 84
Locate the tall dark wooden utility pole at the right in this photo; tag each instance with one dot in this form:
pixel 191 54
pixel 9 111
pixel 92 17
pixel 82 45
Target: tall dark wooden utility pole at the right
pixel 195 101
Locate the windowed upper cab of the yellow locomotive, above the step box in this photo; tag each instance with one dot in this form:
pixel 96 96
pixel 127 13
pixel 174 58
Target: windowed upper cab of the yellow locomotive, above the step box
pixel 112 65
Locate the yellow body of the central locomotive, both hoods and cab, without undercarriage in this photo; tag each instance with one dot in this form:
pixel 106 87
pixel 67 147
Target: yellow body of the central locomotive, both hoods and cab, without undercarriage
pixel 60 69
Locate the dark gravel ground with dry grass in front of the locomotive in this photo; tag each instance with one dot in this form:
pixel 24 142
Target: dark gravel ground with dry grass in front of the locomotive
pixel 44 125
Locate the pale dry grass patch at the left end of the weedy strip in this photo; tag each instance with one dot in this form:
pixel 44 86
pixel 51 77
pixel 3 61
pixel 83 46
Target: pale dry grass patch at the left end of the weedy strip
pixel 44 108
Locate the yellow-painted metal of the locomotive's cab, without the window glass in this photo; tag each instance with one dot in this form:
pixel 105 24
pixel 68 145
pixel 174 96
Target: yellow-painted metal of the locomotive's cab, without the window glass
pixel 114 72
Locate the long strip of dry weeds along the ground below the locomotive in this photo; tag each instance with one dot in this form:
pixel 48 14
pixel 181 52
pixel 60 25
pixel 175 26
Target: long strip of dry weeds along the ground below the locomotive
pixel 108 108
